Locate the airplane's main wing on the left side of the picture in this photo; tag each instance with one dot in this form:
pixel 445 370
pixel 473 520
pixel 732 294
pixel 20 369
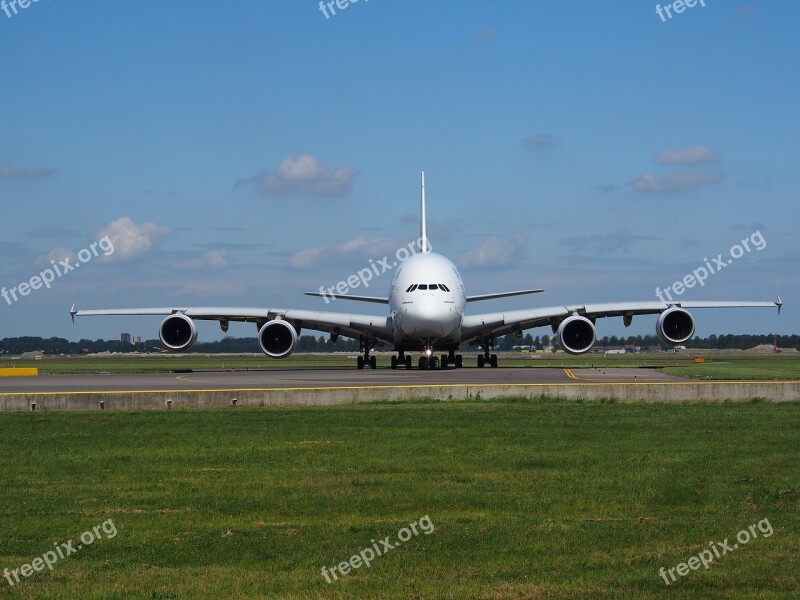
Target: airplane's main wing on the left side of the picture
pixel 348 325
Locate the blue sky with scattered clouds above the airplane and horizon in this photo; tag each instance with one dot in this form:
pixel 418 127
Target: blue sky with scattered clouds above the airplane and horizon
pixel 243 153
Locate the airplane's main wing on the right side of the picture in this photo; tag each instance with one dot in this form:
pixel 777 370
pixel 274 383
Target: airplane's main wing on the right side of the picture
pixel 502 323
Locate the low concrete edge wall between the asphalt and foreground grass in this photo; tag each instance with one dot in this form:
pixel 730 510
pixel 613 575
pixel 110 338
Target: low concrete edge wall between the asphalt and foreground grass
pixel 706 391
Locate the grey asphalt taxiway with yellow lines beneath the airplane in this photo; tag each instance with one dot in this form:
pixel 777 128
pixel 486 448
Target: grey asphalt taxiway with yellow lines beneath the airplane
pixel 344 377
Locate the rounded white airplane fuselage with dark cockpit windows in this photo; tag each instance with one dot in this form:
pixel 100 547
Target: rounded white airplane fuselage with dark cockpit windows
pixel 427 302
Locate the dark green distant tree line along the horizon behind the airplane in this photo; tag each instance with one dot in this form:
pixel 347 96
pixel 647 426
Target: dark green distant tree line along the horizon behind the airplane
pixel 310 343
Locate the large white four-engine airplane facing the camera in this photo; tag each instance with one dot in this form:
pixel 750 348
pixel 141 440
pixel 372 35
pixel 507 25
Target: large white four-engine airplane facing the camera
pixel 427 313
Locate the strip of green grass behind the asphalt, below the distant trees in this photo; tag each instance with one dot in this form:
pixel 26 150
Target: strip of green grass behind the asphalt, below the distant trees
pixel 717 366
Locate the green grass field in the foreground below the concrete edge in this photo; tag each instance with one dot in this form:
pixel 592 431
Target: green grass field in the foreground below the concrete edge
pixel 528 499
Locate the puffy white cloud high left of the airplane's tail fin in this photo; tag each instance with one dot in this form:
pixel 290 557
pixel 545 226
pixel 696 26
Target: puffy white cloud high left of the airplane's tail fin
pixel 302 175
